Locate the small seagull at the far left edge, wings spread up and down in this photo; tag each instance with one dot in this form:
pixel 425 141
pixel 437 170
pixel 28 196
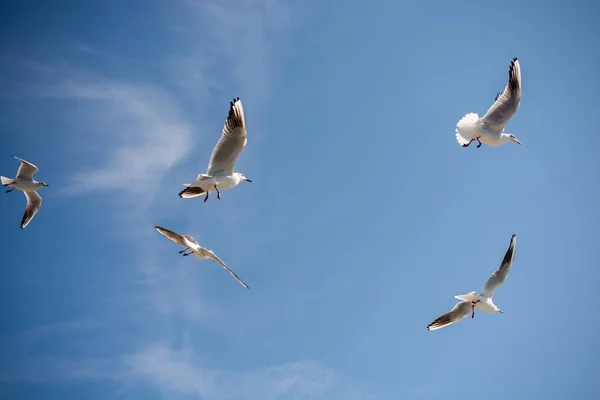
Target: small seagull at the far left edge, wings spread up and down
pixel 25 182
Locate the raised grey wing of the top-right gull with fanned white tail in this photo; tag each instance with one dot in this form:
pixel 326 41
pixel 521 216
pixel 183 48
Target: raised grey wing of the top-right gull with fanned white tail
pixel 507 103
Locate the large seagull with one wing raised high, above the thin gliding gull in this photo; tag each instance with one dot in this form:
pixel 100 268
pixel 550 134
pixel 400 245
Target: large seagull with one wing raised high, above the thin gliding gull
pixel 219 174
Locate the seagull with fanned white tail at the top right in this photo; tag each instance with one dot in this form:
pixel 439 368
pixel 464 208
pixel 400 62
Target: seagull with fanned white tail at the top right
pixel 489 129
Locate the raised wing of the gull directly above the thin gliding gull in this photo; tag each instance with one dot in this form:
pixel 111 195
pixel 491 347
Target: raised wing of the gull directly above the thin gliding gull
pixel 232 142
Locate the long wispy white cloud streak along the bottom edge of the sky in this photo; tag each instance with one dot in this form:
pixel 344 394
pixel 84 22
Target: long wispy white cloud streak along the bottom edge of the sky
pixel 181 372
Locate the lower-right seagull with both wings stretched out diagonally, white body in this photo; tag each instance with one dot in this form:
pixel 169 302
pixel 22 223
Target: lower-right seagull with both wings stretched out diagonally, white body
pixel 483 300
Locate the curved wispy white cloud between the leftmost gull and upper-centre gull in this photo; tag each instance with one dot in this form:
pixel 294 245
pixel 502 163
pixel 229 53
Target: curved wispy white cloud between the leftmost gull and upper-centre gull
pixel 138 129
